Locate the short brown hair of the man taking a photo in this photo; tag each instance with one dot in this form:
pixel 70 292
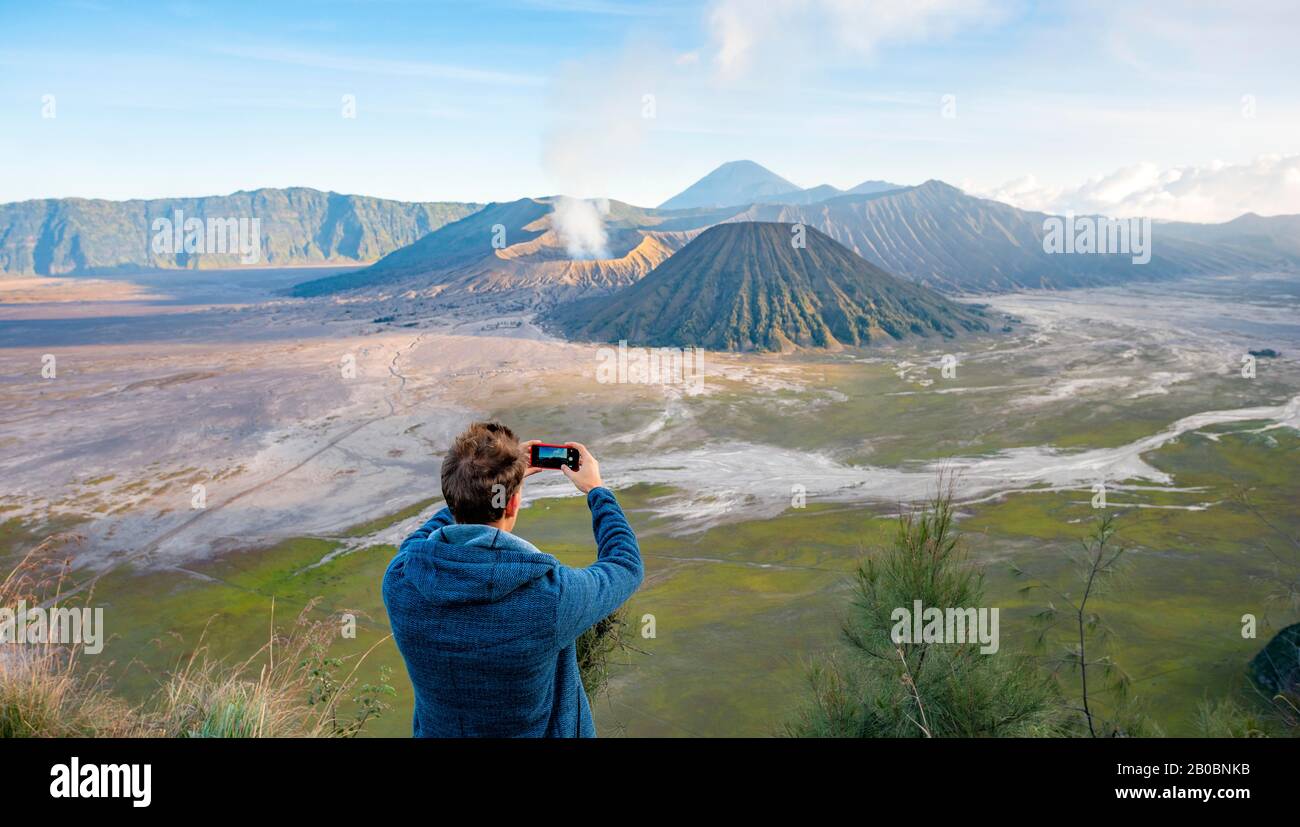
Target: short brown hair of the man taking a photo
pixel 482 473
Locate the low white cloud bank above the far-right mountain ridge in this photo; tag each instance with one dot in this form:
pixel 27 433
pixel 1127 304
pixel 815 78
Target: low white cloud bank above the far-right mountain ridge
pixel 1269 185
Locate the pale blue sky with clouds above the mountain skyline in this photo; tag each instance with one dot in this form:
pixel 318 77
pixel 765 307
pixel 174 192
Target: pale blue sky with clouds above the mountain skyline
pixel 497 101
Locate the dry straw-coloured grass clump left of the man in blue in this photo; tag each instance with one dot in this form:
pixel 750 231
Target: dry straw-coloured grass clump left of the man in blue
pixel 289 689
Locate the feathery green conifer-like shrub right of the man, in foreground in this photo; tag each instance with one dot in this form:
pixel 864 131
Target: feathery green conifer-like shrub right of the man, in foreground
pixel 886 690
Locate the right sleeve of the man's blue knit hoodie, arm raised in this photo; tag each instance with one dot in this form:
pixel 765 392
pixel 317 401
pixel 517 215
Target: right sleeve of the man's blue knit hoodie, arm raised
pixel 592 594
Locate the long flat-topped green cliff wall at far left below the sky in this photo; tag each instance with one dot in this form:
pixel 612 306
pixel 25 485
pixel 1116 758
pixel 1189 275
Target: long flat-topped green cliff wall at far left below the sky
pixel 300 226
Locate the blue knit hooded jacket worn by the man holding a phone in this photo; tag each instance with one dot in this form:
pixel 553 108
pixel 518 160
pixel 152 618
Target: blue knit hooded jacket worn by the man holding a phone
pixel 487 625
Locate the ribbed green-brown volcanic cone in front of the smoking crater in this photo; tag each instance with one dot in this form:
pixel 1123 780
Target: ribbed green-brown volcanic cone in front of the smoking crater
pixel 751 287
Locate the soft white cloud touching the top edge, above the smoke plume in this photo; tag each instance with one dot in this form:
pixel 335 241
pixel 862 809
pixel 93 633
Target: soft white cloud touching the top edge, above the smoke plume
pixel 781 34
